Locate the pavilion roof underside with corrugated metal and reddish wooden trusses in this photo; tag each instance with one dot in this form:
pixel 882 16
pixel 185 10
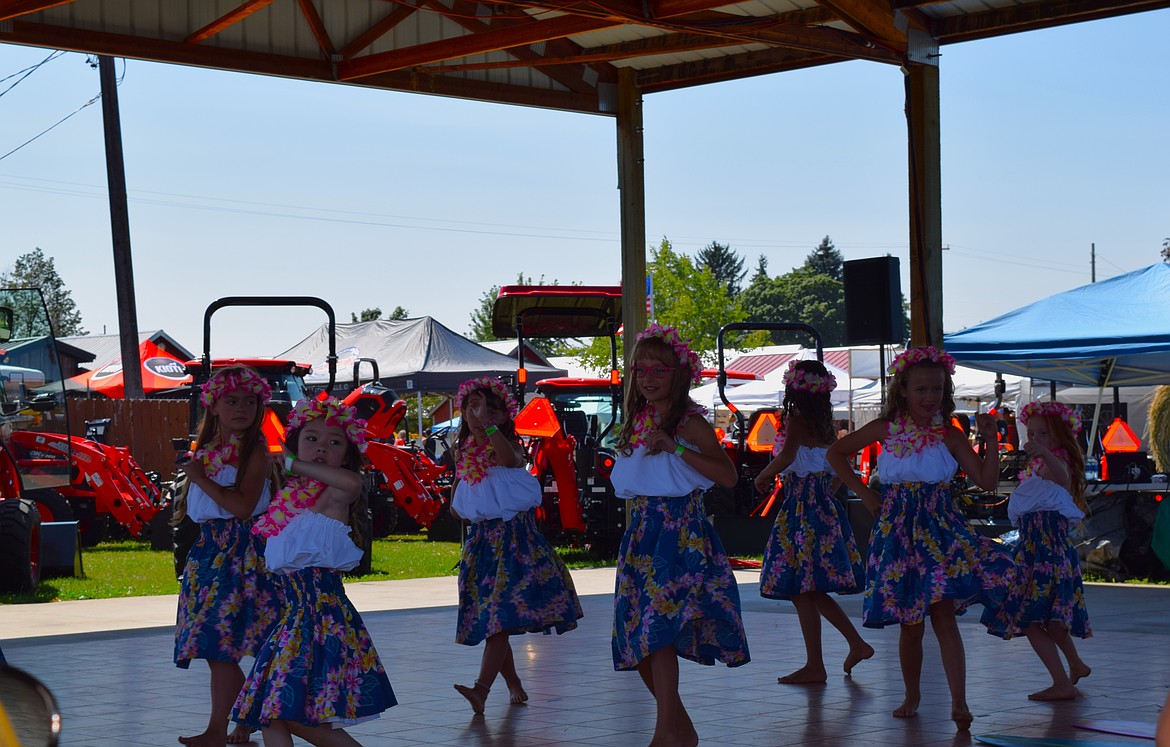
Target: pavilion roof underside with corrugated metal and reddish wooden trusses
pixel 561 54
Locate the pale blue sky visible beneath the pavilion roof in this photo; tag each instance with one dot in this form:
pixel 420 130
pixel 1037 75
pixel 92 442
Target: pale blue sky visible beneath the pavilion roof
pixel 244 186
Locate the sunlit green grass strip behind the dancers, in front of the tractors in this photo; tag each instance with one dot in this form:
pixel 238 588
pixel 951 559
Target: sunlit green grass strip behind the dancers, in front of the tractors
pixel 130 568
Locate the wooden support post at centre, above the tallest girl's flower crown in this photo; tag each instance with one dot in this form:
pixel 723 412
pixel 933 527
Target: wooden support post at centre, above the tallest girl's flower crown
pixel 632 187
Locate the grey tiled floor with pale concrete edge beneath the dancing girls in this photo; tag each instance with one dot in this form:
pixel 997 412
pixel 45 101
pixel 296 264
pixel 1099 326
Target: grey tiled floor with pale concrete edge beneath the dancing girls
pixel 109 664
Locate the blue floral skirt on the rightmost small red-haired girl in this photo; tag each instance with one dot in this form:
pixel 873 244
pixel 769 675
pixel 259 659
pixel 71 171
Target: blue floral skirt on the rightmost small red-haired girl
pixel 1049 581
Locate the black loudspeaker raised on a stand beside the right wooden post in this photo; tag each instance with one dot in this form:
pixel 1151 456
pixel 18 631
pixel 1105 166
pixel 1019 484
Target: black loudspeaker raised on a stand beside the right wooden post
pixel 873 301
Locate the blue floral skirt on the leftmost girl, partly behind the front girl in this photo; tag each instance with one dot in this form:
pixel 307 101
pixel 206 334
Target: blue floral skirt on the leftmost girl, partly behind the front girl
pixel 229 602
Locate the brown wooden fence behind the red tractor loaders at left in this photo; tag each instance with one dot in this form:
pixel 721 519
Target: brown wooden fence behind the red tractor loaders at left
pixel 146 427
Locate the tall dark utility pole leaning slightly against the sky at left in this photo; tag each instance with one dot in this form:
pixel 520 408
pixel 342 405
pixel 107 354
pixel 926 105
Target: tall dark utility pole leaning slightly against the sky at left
pixel 120 232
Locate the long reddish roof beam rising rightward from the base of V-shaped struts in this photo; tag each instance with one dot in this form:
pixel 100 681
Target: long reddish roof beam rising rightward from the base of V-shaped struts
pixel 470 45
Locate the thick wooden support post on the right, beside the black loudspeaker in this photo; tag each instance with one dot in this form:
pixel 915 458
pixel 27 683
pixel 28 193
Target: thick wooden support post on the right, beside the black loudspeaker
pixel 926 204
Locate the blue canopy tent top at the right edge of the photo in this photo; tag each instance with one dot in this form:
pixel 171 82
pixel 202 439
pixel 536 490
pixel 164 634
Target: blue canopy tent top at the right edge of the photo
pixel 1114 333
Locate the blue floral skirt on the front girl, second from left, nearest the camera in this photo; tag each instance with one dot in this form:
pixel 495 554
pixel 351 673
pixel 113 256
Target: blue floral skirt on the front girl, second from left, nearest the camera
pixel 320 666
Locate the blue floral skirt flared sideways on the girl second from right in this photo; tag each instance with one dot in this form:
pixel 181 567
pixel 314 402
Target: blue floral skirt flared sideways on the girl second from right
pixel 924 552
